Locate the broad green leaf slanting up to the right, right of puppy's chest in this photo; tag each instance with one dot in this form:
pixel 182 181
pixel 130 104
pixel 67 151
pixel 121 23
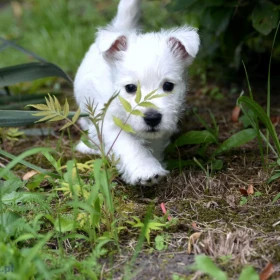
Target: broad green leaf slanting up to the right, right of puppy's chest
pixel 236 140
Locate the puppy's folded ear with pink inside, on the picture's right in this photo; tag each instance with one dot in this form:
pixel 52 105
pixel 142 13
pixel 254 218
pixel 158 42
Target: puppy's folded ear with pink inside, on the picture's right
pixel 184 43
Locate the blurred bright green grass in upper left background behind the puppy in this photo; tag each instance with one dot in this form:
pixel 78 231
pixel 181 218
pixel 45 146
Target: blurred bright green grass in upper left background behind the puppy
pixel 59 31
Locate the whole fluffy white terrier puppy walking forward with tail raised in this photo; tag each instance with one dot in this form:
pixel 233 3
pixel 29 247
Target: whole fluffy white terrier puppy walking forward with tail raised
pixel 119 60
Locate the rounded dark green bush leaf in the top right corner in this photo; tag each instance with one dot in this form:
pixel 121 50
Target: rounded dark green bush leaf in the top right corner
pixel 265 17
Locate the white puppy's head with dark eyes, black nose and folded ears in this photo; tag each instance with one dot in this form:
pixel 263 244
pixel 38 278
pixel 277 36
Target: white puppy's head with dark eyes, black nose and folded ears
pixel 158 61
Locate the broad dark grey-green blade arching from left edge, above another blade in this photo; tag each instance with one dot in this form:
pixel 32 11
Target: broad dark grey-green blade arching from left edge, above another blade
pixel 29 72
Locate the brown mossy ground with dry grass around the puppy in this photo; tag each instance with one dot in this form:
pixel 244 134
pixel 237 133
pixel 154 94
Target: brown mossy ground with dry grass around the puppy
pixel 212 213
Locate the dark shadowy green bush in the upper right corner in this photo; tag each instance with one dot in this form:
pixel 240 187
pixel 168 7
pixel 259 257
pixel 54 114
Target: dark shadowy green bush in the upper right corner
pixel 232 31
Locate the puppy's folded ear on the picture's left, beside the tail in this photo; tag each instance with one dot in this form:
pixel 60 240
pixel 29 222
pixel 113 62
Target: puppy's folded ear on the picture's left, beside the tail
pixel 111 44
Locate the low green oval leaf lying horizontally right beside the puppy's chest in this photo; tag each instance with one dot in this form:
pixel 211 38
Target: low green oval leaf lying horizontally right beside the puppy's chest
pixel 195 138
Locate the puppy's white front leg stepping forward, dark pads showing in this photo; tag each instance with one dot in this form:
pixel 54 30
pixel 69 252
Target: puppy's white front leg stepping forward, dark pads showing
pixel 137 164
